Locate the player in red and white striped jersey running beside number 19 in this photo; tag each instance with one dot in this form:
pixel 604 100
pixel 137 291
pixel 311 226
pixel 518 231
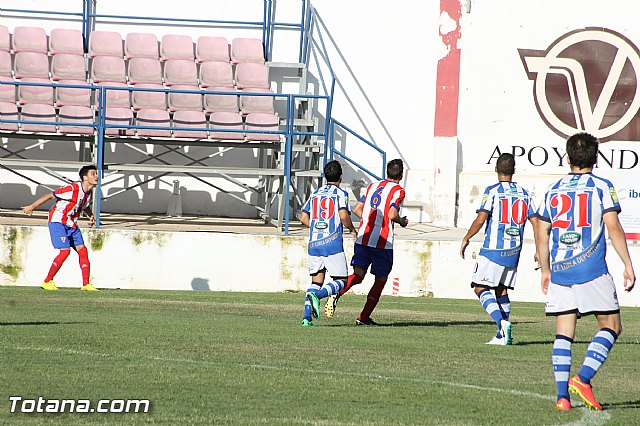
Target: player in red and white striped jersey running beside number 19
pixel 378 210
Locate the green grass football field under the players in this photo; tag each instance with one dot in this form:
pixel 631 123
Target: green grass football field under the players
pixel 243 358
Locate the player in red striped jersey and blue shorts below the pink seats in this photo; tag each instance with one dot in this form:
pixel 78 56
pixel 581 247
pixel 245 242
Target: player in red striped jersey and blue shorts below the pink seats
pixel 71 200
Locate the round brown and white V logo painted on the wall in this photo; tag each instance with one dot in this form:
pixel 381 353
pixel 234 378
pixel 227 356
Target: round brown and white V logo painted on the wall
pixel 588 80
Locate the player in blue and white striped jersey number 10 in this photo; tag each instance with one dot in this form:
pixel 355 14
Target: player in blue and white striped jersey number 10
pixel 505 207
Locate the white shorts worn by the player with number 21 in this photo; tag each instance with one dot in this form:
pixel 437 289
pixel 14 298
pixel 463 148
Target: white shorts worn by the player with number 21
pixel 597 296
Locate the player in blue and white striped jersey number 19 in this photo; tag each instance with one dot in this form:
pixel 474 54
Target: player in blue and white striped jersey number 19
pixel 325 213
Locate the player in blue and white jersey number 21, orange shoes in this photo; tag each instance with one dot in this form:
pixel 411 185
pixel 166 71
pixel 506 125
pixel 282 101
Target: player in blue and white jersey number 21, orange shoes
pixel 572 248
